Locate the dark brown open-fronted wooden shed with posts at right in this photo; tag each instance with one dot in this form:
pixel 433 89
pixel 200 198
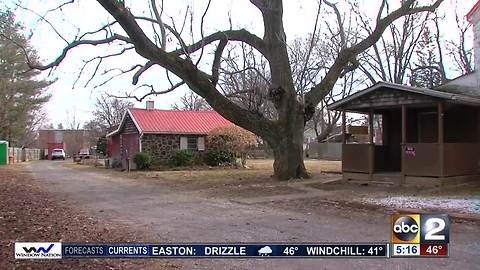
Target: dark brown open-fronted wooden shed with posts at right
pixel 416 135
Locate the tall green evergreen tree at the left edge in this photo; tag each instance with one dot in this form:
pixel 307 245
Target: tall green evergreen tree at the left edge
pixel 21 95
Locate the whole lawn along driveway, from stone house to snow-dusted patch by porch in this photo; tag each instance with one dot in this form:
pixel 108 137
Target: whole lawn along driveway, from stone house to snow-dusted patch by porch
pixel 256 182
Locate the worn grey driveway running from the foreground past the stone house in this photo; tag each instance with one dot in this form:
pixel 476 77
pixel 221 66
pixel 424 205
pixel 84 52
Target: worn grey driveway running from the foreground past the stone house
pixel 194 217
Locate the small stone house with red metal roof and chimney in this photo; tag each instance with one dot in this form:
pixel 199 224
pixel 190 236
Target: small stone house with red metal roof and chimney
pixel 160 133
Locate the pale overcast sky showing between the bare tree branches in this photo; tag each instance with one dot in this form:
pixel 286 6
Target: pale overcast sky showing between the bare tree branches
pixel 299 18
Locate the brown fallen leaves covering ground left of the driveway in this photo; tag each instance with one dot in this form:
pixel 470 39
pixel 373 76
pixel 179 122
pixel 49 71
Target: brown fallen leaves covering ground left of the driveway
pixel 30 214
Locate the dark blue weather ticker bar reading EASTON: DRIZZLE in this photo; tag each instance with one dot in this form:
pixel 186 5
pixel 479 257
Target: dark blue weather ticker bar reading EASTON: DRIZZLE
pixel 327 250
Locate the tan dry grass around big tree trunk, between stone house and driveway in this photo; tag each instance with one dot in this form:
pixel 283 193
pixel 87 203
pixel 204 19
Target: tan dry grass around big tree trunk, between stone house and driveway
pixel 256 180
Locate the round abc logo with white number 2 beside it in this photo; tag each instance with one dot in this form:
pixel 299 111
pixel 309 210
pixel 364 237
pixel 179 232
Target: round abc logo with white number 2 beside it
pixel 420 229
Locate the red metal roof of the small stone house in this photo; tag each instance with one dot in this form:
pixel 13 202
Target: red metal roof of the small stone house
pixel 177 122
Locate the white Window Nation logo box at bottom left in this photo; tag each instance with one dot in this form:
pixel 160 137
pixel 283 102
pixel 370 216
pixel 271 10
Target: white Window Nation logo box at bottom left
pixel 36 250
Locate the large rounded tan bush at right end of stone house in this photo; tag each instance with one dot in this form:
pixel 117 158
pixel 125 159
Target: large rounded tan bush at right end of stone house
pixel 230 139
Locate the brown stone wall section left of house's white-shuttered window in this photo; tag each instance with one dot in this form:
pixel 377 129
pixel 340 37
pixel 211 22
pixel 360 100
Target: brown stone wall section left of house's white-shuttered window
pixel 160 146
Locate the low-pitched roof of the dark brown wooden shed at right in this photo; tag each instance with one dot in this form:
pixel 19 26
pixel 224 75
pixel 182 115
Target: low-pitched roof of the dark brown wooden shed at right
pixel 417 91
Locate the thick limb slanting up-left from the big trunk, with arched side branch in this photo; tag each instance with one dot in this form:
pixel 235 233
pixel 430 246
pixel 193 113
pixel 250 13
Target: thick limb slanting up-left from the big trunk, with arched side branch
pixel 197 80
